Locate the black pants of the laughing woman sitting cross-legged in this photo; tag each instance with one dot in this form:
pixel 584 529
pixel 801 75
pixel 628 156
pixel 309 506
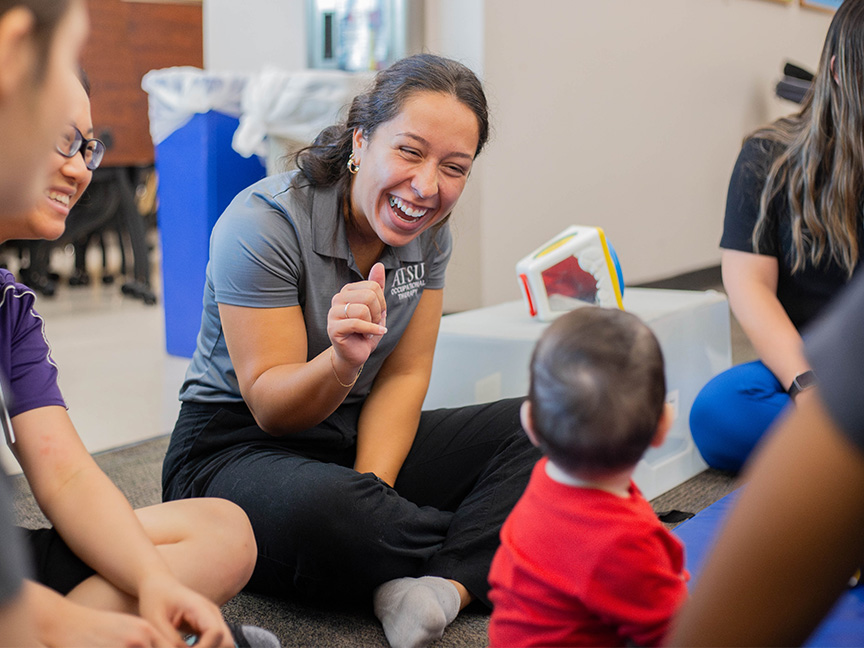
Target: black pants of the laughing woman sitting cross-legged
pixel 325 531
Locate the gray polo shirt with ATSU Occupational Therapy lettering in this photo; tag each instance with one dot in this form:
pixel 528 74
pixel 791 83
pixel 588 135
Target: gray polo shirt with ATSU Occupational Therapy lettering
pixel 277 246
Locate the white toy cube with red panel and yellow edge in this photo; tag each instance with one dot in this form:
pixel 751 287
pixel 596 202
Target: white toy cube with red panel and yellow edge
pixel 577 268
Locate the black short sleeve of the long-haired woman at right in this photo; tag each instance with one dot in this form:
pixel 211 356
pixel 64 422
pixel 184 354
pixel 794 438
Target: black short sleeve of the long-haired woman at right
pixel 742 199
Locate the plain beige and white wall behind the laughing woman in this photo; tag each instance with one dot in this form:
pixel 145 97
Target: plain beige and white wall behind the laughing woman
pixel 626 114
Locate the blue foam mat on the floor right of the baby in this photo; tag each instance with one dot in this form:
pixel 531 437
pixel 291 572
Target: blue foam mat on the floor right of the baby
pixel 844 625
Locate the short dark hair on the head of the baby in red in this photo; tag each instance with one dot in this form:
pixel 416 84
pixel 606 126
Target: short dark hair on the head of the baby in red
pixel 597 390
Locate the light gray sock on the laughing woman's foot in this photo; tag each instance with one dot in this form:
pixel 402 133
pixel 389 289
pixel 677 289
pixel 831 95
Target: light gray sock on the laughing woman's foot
pixel 415 611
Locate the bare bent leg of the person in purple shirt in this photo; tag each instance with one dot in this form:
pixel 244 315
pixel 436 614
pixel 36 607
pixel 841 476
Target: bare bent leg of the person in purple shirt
pixel 207 543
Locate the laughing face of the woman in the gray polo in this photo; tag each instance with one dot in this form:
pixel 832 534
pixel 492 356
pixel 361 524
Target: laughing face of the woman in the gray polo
pixel 413 168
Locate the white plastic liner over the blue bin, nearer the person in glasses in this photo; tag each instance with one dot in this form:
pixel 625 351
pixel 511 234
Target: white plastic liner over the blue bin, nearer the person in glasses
pixel 179 93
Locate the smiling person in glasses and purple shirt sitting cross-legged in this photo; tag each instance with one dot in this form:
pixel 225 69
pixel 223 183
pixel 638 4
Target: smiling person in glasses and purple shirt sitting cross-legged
pixel 105 574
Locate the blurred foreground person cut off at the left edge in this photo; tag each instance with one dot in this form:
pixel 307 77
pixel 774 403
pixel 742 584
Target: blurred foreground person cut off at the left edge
pixel 40 44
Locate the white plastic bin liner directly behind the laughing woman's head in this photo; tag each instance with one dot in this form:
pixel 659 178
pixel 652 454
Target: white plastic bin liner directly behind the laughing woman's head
pixel 293 106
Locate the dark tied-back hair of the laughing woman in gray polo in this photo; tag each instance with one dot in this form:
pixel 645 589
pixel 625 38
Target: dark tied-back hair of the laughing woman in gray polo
pixel 324 162
